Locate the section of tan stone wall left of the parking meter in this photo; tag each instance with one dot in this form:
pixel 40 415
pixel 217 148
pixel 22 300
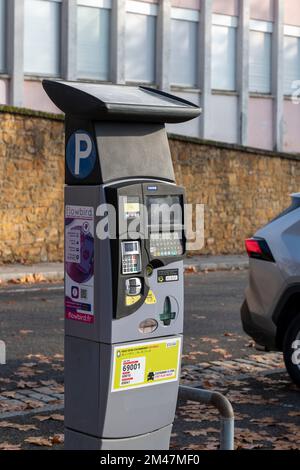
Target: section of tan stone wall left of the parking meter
pixel 31 185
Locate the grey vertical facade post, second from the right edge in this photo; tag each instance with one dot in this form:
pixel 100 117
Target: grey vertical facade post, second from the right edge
pixel 243 70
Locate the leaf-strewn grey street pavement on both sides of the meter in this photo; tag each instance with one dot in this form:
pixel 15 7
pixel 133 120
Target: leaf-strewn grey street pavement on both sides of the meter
pixel 217 355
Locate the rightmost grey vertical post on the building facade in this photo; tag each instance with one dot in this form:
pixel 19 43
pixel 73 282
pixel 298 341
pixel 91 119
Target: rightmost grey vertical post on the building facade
pixel 277 74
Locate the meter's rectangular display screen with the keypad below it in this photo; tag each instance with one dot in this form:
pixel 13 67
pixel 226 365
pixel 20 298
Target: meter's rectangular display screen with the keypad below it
pixel 165 221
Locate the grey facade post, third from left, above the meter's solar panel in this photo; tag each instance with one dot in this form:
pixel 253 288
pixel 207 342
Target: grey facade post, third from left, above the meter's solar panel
pixel 118 40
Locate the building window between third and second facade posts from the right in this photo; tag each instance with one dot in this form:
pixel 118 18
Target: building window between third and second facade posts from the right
pixel 224 30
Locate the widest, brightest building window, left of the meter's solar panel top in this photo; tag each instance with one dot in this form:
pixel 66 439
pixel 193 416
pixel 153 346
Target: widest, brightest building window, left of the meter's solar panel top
pixel 42 38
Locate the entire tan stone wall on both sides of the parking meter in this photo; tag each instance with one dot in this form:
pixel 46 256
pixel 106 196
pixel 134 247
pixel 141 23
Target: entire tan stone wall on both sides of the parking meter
pixel 241 188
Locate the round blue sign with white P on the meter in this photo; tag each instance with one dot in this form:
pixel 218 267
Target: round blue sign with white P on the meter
pixel 81 154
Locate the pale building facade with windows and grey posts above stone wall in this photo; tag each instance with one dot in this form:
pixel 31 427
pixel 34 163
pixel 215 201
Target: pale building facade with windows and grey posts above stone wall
pixel 238 59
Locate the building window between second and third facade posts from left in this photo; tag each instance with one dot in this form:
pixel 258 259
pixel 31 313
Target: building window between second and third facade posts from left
pixel 93 39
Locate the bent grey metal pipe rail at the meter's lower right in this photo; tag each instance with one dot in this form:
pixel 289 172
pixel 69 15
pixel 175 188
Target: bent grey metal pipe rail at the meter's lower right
pixel 222 404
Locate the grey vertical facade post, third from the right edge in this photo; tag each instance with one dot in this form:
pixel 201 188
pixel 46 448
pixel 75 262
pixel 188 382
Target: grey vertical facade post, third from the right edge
pixel 205 33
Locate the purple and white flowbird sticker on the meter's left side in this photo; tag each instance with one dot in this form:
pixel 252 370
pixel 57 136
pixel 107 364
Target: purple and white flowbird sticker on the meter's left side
pixel 79 263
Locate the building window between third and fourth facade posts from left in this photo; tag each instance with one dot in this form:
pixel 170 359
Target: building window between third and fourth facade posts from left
pixel 140 43
